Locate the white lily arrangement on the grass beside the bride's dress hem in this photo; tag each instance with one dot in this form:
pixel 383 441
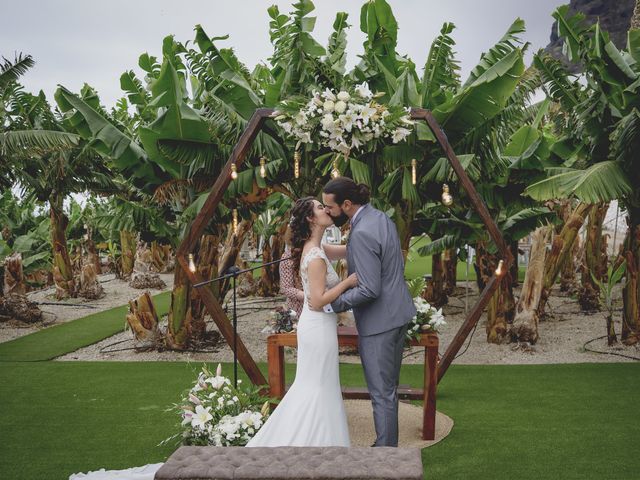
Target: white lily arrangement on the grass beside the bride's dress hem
pixel 215 413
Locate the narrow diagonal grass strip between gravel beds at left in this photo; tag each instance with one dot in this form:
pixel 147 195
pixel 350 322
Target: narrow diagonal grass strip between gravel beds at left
pixel 67 337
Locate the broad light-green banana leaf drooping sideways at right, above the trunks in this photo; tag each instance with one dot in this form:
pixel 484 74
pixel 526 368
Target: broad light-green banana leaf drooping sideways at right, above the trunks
pixel 602 182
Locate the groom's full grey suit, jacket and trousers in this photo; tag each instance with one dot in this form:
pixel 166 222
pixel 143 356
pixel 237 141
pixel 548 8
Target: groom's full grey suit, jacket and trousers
pixel 382 307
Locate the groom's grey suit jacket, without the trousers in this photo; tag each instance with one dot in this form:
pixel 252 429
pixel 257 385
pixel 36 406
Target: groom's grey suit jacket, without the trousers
pixel 381 301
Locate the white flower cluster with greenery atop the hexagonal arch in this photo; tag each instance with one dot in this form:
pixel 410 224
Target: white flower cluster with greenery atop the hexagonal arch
pixel 343 121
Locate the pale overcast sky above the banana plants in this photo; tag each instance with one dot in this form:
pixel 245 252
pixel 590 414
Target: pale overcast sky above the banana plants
pixel 74 41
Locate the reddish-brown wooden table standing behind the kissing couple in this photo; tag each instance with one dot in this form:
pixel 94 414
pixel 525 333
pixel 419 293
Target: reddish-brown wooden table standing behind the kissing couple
pixel 348 336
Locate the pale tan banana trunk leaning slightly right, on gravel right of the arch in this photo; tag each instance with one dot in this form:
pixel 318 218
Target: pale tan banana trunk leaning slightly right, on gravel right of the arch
pixel 525 323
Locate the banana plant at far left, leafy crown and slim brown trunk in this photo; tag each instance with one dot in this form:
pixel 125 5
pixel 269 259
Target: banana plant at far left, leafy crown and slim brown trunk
pixel 51 163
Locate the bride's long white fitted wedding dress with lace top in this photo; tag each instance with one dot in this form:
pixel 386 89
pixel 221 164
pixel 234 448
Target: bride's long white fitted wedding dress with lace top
pixel 312 413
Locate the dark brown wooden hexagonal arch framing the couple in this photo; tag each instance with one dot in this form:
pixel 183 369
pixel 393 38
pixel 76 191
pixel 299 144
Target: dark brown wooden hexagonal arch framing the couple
pixel 221 184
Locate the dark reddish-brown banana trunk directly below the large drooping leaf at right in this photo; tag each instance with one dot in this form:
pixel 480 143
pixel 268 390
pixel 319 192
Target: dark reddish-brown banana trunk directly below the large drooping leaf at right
pixel 594 263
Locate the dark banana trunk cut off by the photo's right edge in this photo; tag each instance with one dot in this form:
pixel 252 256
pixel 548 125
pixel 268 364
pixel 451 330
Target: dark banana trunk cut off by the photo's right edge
pixel 631 292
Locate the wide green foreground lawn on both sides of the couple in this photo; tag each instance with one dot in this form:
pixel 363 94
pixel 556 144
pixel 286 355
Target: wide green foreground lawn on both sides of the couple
pixel 525 422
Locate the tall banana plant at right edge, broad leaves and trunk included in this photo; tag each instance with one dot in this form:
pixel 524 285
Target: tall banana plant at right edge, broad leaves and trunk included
pixel 601 123
